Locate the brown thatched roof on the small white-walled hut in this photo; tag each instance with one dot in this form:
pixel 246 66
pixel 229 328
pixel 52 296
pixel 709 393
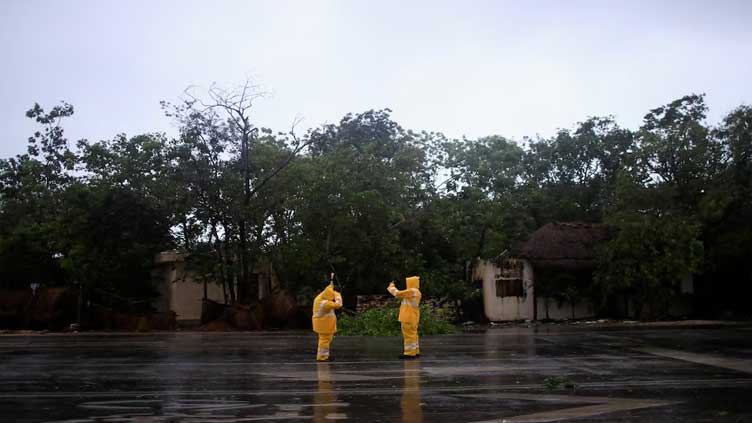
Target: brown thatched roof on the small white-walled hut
pixel 565 244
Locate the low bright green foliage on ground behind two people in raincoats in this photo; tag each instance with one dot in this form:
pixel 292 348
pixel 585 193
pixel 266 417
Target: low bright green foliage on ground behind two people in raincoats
pixel 382 321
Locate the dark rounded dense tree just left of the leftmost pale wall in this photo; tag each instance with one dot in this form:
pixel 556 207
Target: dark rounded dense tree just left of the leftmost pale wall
pixel 108 237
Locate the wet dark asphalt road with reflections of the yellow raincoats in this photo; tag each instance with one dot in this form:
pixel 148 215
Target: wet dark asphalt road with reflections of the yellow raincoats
pixel 624 375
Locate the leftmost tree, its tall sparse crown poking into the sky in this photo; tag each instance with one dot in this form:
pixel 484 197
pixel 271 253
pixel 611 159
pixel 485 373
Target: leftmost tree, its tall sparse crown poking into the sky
pixel 31 187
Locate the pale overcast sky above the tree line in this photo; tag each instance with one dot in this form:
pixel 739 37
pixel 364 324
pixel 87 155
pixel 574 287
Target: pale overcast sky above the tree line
pixel 472 68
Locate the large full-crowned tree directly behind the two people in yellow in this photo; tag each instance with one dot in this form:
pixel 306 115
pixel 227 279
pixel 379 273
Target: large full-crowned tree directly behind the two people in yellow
pixel 364 186
